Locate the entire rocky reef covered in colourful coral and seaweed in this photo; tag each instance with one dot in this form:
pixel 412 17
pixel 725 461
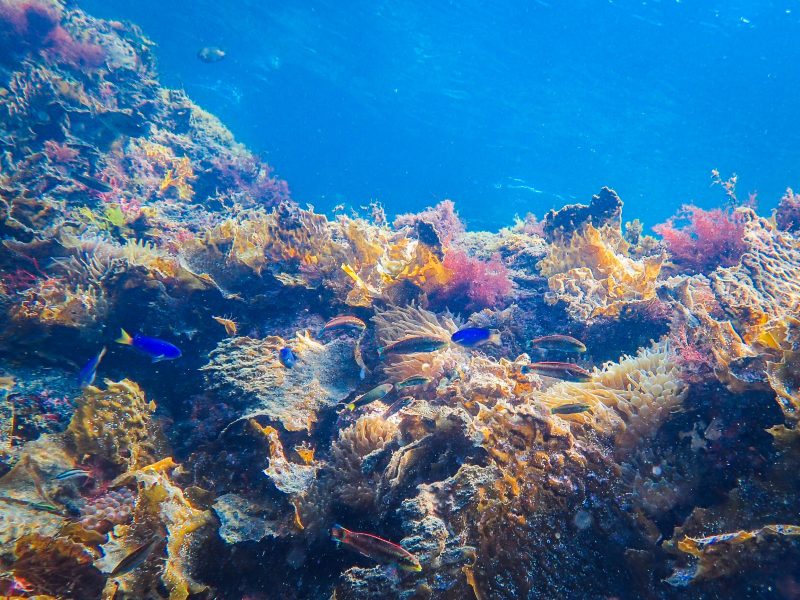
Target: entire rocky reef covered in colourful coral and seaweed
pixel 660 462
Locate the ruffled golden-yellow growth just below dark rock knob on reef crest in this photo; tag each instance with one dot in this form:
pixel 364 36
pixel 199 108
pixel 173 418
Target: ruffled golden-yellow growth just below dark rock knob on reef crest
pixel 591 272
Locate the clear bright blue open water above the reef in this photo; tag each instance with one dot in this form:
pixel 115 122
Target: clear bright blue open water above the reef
pixel 505 107
